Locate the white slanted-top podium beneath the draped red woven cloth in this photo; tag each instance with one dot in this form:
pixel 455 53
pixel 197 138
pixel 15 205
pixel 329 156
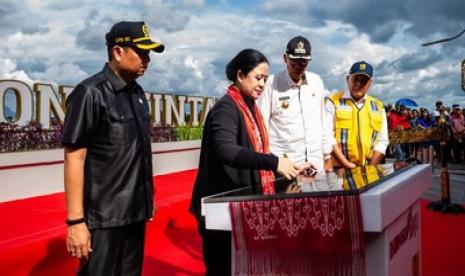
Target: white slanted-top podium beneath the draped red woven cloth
pixel 390 212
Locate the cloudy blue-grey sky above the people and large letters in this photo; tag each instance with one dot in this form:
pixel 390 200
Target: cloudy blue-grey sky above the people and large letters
pixel 63 41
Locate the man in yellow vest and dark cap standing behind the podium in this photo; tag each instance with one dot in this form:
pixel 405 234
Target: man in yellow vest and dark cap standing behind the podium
pixel 360 135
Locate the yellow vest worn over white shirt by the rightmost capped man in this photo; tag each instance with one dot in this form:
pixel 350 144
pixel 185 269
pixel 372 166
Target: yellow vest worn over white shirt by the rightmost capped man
pixel 357 130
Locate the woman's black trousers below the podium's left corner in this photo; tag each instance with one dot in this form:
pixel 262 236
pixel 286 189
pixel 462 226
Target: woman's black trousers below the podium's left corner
pixel 216 246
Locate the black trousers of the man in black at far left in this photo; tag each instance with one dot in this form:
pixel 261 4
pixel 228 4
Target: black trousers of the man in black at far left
pixel 115 251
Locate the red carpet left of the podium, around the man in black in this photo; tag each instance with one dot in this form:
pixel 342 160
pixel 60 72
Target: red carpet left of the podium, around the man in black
pixel 32 239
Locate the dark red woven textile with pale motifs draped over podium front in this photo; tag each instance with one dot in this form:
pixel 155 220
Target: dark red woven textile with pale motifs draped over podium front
pixel 298 236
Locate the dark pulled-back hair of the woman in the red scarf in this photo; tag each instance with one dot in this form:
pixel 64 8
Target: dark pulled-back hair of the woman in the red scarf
pixel 245 61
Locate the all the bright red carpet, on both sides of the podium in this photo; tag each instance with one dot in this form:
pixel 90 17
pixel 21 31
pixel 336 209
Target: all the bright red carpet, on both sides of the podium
pixel 32 236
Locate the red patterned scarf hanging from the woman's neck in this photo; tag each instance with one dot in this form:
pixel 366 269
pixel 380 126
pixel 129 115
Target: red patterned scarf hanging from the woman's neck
pixel 258 136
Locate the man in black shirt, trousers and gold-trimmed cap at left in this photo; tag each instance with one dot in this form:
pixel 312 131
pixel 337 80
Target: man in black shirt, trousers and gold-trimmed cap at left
pixel 108 159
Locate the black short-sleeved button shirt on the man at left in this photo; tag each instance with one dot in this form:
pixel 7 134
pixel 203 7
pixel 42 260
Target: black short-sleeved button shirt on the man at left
pixel 111 120
